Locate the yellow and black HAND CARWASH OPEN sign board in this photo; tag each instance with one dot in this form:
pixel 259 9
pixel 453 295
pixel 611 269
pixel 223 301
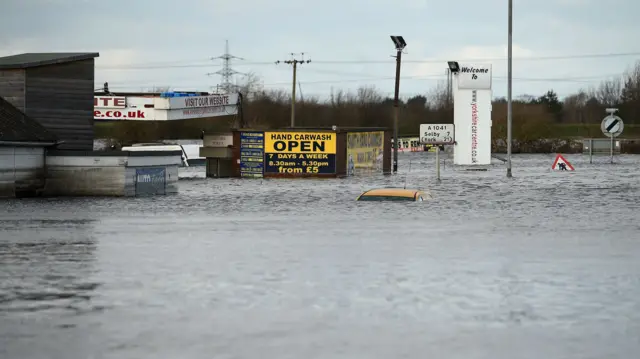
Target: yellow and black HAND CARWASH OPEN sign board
pixel 300 153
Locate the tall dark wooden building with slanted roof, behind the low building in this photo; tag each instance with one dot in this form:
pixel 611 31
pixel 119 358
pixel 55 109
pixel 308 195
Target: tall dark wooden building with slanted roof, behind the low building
pixel 55 89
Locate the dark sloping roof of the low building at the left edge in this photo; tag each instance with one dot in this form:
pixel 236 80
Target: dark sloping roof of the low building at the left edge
pixel 15 126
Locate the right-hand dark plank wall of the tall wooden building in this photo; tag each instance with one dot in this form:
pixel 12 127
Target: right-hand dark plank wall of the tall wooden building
pixel 60 97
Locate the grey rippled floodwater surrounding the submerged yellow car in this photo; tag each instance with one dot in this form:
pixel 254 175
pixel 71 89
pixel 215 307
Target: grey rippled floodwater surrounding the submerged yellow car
pixel 545 265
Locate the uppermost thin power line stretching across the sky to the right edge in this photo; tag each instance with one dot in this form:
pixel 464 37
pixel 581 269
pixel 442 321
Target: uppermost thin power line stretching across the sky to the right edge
pixel 150 66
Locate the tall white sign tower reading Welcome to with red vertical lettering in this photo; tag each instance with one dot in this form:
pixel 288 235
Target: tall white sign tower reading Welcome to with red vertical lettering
pixel 472 97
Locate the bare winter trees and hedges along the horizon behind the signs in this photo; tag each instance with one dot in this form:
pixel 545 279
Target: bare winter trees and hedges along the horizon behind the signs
pixel 538 120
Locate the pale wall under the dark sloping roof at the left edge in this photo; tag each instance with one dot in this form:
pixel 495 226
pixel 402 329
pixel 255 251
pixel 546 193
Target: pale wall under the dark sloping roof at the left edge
pixel 21 171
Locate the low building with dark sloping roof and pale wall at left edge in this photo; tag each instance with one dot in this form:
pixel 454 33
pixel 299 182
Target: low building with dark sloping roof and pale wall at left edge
pixel 22 152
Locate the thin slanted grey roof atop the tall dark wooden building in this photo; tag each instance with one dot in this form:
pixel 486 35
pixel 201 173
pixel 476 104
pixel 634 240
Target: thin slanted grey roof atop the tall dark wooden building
pixel 33 59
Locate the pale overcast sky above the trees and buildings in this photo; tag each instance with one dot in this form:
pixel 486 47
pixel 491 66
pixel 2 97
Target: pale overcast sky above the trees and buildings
pixel 169 43
